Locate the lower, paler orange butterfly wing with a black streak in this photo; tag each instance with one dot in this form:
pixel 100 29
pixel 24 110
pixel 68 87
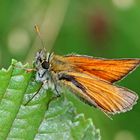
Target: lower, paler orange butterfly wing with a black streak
pixel 104 95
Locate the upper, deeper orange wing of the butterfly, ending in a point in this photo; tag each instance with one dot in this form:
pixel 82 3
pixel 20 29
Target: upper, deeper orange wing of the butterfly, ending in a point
pixel 110 70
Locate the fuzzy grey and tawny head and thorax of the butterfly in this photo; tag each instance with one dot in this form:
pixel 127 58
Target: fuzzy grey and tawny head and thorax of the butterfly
pixel 48 67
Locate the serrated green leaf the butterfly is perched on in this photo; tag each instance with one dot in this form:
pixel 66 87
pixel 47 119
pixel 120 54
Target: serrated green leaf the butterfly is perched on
pixel 44 118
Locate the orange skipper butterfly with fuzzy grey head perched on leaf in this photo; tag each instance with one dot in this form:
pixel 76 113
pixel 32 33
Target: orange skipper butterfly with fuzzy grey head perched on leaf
pixel 91 79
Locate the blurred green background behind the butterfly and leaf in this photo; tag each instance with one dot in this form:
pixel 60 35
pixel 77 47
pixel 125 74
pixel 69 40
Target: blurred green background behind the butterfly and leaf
pixel 109 29
